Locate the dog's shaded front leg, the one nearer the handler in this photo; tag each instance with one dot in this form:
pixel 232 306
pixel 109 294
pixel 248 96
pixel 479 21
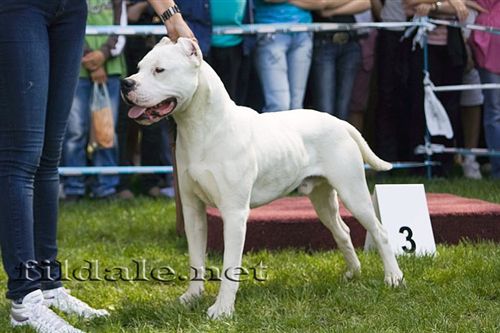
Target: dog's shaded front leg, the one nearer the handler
pixel 195 220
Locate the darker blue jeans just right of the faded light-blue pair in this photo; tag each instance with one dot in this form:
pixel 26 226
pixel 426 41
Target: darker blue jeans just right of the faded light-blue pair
pixel 334 68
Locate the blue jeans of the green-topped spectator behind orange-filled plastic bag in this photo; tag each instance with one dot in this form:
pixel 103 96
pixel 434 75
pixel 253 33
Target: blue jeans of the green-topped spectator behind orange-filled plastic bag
pixel 77 135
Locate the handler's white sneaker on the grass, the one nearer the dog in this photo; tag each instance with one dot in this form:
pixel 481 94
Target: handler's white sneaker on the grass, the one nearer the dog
pixel 60 299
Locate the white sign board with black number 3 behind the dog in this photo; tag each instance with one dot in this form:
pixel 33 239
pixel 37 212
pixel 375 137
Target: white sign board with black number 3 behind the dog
pixel 403 211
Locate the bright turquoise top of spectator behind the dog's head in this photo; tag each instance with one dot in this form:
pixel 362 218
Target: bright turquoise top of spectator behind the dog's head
pixel 227 12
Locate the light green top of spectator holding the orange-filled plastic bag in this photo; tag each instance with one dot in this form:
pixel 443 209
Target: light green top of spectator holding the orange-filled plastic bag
pixel 100 12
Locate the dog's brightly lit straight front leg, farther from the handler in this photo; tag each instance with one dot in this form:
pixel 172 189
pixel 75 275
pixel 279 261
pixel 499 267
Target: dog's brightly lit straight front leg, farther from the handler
pixel 234 239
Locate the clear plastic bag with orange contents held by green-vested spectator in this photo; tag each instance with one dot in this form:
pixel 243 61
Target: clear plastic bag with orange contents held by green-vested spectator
pixel 102 129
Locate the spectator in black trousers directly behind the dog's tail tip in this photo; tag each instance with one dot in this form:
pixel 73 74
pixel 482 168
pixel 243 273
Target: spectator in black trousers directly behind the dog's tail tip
pixel 391 113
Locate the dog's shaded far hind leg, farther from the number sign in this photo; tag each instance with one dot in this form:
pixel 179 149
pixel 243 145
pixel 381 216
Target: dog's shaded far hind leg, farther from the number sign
pixel 325 202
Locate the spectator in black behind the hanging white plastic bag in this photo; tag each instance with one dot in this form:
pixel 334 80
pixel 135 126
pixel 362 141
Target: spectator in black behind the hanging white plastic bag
pixel 447 59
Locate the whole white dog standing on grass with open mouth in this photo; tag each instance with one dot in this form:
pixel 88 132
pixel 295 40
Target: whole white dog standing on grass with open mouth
pixel 233 158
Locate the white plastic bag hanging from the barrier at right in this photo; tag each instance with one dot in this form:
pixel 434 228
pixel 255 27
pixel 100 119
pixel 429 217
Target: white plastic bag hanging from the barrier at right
pixel 436 117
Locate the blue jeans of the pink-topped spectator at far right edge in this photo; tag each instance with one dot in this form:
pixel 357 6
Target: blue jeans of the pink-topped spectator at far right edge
pixel 492 117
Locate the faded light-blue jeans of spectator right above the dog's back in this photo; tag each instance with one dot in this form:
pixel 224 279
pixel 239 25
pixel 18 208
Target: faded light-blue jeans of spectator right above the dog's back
pixel 282 62
